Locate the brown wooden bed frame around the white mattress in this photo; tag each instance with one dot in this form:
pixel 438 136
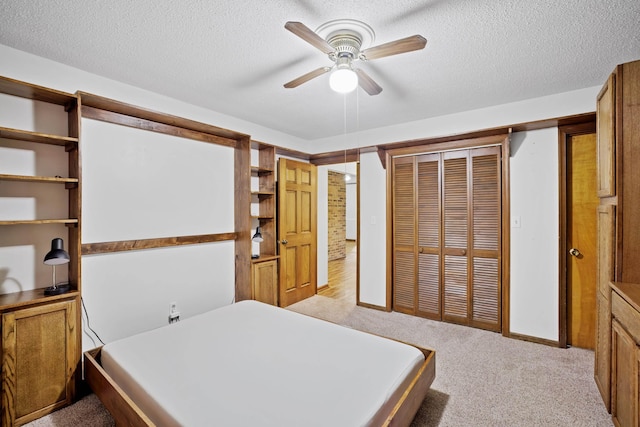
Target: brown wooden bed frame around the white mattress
pixel 126 413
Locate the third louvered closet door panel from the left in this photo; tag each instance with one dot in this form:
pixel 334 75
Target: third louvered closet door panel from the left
pixel 455 200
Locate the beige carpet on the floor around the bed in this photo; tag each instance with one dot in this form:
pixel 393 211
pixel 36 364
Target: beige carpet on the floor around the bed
pixel 482 378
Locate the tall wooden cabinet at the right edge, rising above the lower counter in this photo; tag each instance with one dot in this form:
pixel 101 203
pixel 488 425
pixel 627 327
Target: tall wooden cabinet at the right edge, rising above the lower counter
pixel 618 130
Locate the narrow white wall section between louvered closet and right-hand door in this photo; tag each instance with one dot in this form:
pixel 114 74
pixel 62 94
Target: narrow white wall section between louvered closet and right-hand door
pixel 534 243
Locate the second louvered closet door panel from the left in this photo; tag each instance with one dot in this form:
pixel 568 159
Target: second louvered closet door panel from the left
pixel 428 206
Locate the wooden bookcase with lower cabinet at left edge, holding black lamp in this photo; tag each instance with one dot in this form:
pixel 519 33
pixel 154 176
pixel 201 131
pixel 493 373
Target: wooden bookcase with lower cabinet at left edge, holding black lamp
pixel 40 341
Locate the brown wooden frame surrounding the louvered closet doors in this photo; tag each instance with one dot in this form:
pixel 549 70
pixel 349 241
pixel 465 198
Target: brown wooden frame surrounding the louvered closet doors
pixel 499 139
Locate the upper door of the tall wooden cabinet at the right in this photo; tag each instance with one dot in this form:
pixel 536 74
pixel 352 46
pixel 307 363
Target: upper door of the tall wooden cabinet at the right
pixel 605 111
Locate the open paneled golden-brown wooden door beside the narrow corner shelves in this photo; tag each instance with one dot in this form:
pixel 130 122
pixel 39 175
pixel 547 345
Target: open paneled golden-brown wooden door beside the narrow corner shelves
pixel 297 217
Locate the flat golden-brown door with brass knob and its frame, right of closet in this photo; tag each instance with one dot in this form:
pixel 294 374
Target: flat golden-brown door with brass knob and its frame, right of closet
pixel 578 248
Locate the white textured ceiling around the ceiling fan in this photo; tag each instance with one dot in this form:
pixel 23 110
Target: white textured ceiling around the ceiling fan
pixel 234 56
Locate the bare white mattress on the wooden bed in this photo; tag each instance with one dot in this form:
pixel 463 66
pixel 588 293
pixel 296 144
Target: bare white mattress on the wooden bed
pixel 252 364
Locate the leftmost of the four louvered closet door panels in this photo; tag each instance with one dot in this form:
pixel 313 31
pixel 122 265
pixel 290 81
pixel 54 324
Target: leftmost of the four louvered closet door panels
pixel 404 232
